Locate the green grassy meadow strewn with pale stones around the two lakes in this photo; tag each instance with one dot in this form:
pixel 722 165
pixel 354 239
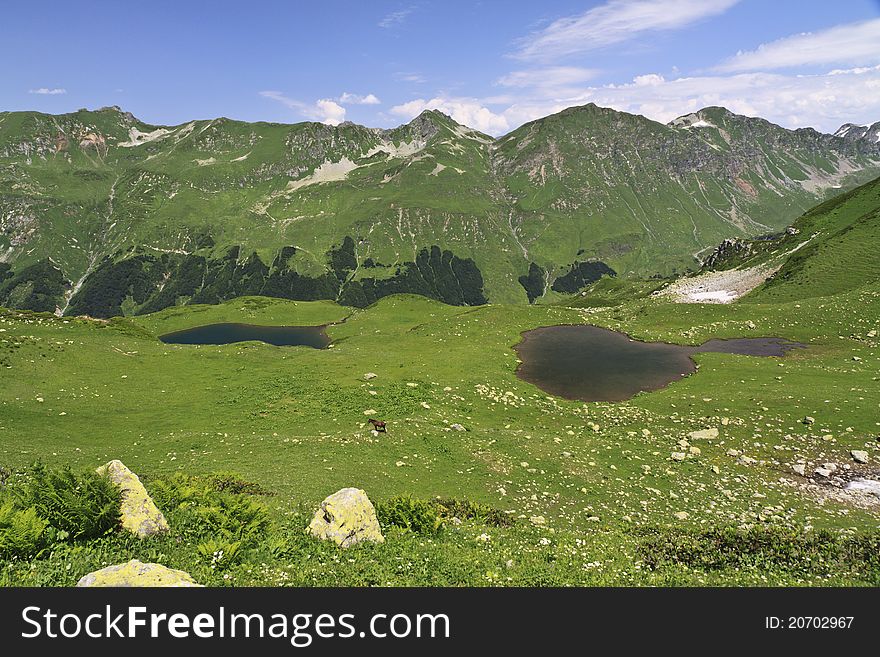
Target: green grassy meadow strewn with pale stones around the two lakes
pixel 580 480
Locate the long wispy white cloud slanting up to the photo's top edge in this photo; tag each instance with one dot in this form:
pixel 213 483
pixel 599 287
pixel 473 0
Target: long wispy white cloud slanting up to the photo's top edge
pixel 614 22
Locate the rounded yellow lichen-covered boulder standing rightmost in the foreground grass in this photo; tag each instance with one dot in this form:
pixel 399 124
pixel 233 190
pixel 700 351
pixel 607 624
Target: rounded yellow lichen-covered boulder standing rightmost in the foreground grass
pixel 346 517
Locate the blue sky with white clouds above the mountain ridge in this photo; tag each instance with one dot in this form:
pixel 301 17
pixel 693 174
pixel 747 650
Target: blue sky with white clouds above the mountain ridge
pixel 492 65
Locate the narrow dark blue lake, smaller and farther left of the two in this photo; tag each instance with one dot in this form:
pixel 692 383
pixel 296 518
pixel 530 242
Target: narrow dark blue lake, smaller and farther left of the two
pixel 281 336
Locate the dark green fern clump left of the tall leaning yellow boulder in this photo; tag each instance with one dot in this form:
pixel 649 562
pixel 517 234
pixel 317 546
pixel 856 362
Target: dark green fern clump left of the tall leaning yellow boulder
pixel 85 505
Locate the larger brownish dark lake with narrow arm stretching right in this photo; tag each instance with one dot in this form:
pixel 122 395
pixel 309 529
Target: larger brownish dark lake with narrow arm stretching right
pixel 596 364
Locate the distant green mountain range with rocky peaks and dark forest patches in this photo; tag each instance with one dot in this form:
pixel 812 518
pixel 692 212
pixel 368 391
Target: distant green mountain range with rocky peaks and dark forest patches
pixel 102 214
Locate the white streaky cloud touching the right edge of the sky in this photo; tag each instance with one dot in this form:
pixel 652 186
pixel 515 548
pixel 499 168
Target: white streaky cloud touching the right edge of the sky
pixel 852 44
